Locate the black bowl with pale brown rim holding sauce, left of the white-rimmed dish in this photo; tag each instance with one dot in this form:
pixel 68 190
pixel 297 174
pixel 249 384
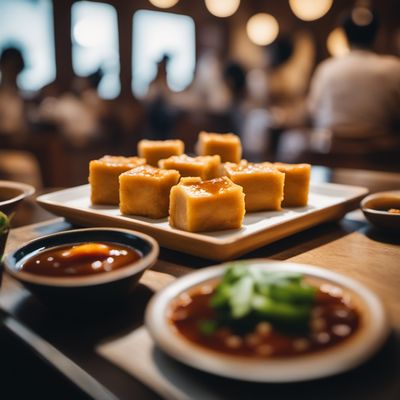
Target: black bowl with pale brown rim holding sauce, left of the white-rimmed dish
pixel 89 290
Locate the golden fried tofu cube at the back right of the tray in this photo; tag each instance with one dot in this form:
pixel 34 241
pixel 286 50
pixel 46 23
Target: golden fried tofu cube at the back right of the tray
pixel 226 145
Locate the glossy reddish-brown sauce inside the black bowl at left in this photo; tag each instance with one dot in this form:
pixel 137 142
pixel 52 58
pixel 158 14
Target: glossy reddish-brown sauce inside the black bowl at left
pixel 80 259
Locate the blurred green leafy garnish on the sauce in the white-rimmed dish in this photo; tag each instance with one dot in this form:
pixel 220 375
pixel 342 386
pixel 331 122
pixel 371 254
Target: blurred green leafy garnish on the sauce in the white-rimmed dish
pixel 252 295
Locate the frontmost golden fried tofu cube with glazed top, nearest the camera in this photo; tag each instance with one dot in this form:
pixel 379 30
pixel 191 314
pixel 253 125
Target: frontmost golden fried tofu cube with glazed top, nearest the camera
pixel 211 205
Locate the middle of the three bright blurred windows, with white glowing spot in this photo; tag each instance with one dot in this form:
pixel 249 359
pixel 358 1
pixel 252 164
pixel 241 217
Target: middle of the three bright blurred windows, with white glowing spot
pixel 95 44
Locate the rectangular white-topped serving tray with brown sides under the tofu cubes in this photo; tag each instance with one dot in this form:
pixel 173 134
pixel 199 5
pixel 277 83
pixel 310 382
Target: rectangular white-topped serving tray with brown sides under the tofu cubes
pixel 327 201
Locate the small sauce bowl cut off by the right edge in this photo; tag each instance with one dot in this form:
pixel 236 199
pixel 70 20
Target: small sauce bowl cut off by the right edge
pixel 375 208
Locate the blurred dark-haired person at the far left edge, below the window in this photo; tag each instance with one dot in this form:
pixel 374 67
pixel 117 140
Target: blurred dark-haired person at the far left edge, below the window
pixel 12 109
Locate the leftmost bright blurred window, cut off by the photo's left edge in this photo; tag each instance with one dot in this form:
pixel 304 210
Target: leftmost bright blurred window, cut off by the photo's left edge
pixel 28 26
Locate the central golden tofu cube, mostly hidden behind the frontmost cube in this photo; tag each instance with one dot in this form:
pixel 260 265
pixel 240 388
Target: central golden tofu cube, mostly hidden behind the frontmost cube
pixel 205 167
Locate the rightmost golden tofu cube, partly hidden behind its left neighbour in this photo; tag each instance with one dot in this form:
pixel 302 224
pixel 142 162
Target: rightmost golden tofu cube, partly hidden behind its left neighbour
pixel 297 184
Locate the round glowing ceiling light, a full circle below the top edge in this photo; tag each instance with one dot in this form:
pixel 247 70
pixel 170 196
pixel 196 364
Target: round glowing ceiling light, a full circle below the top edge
pixel 262 29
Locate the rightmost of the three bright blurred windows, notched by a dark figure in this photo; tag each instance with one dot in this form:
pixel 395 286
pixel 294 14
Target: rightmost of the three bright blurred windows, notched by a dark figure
pixel 156 34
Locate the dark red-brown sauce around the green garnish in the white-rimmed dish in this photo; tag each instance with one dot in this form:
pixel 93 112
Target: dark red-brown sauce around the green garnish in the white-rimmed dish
pixel 333 320
